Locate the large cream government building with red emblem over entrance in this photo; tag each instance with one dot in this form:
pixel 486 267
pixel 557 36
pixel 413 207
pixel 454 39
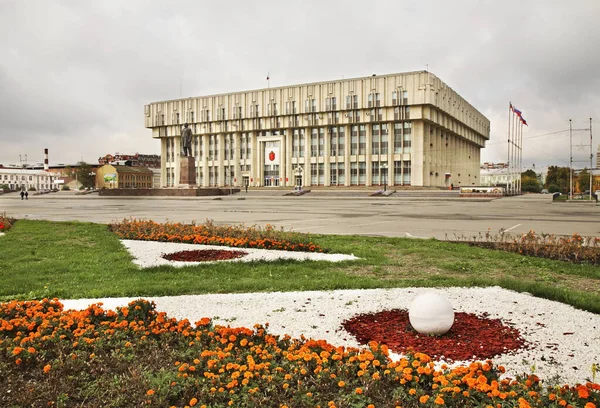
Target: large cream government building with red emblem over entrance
pixel 405 129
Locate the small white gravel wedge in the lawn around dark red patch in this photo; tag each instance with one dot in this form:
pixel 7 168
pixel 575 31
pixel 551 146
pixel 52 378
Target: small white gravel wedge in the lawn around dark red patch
pixel 149 253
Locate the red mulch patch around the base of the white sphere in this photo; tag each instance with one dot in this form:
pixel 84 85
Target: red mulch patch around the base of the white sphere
pixel 471 336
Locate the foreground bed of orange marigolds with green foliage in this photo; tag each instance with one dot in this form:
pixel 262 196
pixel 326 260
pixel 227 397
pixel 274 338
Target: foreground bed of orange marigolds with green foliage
pixel 137 356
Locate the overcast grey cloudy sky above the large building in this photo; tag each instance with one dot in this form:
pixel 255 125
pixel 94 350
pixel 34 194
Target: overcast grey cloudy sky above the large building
pixel 75 75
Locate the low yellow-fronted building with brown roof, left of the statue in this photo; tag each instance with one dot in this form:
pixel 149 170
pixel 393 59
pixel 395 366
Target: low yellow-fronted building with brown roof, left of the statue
pixel 120 176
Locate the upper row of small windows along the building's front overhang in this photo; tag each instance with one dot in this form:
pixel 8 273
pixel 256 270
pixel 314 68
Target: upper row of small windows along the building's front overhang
pixel 291 108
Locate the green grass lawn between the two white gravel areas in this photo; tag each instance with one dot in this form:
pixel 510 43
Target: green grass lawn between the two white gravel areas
pixel 75 260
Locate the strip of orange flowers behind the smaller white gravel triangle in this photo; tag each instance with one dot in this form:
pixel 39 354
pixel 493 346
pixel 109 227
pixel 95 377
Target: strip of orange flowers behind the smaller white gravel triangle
pixel 210 234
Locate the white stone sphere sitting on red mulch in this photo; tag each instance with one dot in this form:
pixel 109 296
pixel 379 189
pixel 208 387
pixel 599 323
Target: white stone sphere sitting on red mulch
pixel 431 313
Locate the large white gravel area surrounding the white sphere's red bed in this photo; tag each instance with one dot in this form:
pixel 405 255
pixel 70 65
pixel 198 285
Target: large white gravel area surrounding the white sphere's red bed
pixel 565 342
